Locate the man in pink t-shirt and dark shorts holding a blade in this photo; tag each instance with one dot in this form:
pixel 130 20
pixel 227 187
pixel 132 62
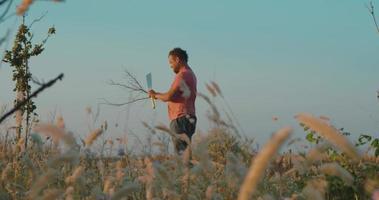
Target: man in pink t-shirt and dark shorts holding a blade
pixel 180 99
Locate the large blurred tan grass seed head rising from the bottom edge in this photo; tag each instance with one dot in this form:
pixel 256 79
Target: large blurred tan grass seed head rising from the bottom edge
pixel 261 162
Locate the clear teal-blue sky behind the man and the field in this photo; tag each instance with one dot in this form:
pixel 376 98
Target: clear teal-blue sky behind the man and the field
pixel 271 58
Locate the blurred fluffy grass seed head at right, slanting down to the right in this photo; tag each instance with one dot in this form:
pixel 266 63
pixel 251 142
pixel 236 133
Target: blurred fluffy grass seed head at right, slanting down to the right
pixel 328 132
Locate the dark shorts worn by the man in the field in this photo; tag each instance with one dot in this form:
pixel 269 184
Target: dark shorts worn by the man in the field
pixel 183 125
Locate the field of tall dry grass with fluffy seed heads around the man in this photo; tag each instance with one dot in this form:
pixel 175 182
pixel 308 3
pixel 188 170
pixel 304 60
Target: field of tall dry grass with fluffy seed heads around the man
pixel 224 165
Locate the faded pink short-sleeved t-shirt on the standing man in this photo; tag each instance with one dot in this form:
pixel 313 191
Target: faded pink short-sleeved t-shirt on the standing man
pixel 183 101
